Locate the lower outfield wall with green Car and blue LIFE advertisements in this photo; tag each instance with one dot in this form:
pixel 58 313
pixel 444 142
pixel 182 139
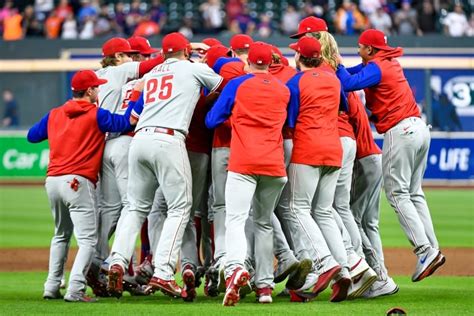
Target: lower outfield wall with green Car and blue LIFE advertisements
pixel 450 159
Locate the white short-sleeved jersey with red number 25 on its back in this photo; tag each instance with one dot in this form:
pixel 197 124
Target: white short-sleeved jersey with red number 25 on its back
pixel 171 92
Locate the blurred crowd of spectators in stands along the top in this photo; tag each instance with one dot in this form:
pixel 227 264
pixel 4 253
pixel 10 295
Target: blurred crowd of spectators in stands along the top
pixel 86 19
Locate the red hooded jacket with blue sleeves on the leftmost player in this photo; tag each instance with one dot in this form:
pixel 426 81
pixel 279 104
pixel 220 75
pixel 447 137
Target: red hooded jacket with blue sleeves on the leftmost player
pixel 76 134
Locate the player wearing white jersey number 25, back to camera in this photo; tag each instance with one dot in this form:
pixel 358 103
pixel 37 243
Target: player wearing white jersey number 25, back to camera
pixel 158 157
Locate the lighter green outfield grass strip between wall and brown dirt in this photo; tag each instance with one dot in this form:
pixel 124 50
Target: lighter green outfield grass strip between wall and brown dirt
pixel 26 220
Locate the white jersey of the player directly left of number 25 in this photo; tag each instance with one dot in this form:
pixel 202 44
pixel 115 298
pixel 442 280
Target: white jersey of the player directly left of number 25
pixel 116 76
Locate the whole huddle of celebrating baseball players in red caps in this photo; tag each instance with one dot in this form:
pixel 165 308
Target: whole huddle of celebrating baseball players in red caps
pixel 245 171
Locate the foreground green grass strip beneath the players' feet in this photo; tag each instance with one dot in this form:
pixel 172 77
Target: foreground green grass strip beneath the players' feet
pixel 21 294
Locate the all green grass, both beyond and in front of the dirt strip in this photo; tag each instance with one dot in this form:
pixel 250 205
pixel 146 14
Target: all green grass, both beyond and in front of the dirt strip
pixel 25 221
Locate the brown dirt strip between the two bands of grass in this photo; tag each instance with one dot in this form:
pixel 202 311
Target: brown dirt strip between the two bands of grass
pixel 400 261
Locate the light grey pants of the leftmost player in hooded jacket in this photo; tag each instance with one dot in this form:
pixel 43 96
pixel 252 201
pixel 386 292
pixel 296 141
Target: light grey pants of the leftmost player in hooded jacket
pixel 73 212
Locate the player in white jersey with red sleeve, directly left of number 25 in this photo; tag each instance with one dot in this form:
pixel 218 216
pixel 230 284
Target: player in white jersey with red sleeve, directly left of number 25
pixel 118 68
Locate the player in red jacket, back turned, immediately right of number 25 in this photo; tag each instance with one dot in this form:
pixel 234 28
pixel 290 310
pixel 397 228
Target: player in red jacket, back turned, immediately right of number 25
pixel 257 105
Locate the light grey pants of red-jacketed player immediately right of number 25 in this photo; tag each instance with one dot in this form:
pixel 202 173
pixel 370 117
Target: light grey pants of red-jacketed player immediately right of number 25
pixel 261 193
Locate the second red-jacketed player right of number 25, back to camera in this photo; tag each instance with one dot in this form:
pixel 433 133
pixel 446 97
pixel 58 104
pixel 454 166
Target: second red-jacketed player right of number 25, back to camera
pixel 315 163
